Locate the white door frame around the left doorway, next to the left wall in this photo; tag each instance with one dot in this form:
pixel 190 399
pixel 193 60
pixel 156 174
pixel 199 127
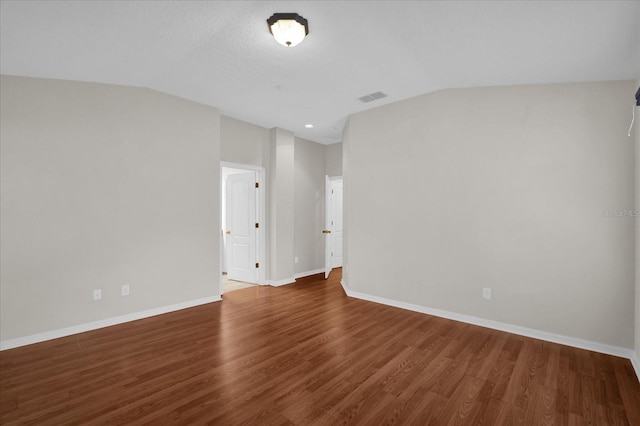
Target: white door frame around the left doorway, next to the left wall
pixel 260 217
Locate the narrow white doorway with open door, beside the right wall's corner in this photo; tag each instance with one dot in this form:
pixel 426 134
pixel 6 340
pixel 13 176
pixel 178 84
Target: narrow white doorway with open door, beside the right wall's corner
pixel 333 225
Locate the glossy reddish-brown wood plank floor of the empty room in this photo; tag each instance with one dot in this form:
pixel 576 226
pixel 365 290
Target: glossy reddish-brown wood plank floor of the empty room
pixel 307 354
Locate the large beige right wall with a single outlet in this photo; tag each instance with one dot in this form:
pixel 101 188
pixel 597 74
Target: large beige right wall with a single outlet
pixel 501 187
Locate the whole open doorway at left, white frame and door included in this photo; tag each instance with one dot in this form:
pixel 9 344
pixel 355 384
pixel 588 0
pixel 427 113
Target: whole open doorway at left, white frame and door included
pixel 242 224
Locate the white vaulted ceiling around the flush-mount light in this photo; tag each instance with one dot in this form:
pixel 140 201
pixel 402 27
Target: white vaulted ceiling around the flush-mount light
pixel 221 53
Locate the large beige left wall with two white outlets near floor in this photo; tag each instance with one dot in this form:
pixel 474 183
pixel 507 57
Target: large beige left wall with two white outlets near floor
pixel 102 186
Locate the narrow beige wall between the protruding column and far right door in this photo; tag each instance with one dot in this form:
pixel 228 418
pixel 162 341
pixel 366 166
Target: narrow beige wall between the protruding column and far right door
pixel 309 208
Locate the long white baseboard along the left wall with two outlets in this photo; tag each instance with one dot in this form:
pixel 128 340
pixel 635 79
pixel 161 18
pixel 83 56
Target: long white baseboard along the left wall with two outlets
pixel 81 328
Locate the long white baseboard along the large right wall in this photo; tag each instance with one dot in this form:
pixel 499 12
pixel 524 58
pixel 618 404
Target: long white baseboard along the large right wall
pixel 509 328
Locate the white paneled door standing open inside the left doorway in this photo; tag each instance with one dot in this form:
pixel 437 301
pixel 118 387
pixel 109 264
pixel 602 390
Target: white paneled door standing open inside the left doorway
pixel 241 227
